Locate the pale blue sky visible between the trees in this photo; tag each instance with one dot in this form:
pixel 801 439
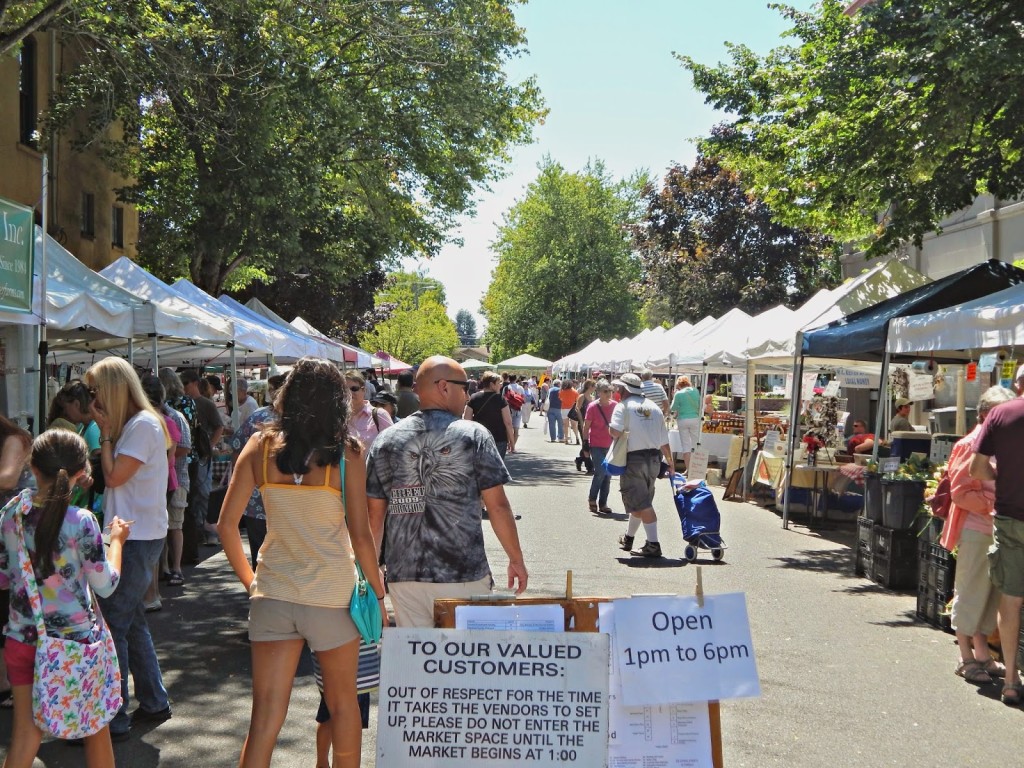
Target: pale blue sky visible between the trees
pixel 615 93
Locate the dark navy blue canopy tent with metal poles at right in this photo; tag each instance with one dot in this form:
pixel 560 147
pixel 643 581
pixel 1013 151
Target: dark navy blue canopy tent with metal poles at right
pixel 864 335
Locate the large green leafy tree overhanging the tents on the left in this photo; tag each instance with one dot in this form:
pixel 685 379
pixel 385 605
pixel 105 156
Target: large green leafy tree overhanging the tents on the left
pixel 272 136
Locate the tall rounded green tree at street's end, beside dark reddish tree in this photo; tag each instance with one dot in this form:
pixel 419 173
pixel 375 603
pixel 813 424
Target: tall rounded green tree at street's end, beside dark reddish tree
pixel 566 274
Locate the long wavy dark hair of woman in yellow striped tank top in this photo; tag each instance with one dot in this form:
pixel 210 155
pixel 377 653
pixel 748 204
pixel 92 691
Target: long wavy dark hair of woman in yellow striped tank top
pixel 311 417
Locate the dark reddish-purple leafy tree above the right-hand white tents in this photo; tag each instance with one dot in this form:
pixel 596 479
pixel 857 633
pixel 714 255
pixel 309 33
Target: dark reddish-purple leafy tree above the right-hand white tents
pixel 708 246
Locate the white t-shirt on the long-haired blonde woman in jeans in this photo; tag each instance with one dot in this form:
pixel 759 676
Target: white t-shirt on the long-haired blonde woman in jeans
pixel 144 498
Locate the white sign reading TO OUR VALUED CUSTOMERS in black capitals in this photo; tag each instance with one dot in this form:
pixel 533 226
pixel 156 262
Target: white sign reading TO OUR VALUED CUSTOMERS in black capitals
pixel 477 699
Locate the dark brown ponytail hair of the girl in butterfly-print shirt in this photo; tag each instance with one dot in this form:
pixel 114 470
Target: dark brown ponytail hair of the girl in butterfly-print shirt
pixel 58 455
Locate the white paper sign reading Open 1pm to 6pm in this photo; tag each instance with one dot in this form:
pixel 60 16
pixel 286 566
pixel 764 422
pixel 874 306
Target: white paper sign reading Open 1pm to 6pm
pixel 672 650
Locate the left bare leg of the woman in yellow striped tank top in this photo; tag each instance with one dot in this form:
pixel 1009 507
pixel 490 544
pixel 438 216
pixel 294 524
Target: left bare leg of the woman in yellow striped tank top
pixel 274 672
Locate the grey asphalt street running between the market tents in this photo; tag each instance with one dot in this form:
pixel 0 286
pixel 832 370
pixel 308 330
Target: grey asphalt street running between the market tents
pixel 848 677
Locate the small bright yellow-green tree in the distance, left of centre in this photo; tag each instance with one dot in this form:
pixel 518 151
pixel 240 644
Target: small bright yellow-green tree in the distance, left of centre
pixel 417 326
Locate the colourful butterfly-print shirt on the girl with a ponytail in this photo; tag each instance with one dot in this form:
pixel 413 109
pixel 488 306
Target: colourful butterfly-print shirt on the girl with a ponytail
pixel 80 561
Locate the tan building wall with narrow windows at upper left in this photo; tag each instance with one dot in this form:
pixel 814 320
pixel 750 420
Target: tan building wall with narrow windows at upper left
pixel 72 174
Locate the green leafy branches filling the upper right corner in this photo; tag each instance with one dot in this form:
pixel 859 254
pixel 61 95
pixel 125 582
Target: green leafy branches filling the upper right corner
pixel 878 126
